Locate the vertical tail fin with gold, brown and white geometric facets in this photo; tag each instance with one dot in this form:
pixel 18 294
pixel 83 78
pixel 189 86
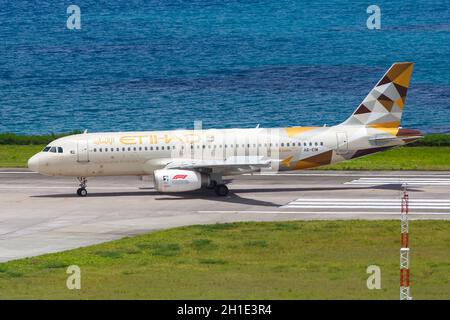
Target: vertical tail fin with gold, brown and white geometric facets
pixel 384 104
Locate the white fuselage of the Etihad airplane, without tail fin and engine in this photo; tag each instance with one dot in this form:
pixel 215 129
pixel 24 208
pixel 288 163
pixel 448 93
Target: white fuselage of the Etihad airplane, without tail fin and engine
pixel 140 153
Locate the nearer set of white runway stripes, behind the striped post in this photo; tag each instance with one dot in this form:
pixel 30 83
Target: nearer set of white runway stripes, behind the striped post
pixel 373 204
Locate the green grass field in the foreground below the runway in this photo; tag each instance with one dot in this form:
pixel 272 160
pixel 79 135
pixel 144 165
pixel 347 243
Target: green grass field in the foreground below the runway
pixel 270 260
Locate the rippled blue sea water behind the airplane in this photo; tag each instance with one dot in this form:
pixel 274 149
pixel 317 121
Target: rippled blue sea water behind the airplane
pixel 145 65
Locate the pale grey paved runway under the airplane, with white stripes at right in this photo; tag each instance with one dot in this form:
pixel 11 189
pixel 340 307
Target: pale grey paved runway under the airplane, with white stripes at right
pixel 41 214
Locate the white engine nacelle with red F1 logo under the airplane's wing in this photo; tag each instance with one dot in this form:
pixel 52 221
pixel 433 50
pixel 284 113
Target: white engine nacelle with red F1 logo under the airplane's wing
pixel 172 180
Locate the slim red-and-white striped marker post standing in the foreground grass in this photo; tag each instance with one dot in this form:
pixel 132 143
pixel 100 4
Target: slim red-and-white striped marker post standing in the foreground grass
pixel 404 250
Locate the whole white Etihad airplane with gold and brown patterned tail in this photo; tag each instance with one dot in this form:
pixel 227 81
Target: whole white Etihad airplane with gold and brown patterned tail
pixel 187 160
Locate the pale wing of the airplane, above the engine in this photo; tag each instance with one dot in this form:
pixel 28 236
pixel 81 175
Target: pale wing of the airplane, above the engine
pixel 239 163
